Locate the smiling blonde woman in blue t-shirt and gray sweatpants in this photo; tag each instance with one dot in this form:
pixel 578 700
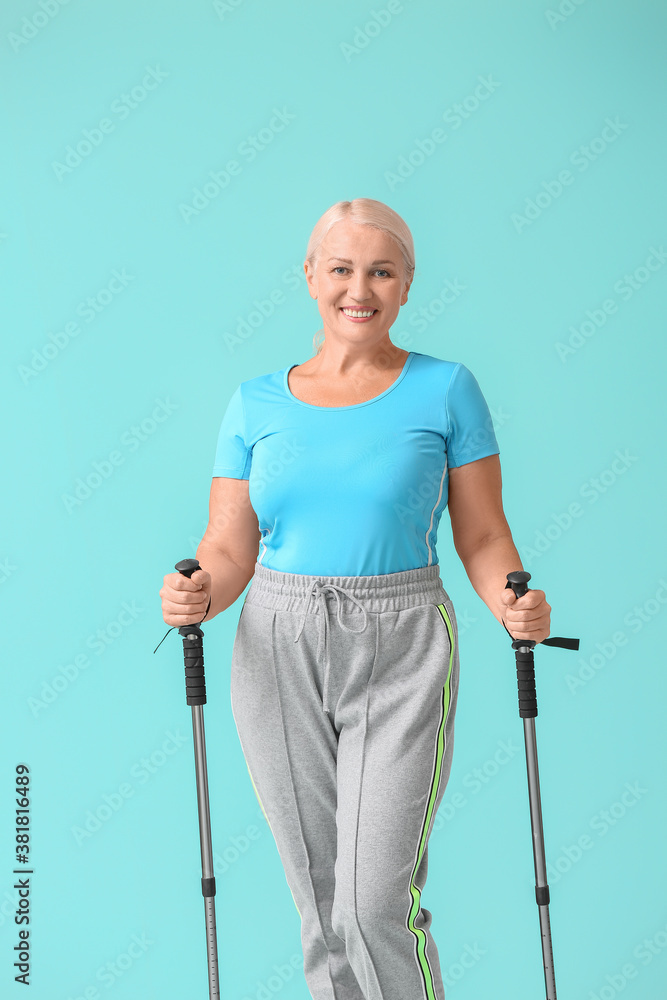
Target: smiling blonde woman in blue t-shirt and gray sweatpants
pixel 328 485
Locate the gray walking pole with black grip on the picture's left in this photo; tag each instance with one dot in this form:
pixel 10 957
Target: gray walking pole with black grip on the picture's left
pixel 195 689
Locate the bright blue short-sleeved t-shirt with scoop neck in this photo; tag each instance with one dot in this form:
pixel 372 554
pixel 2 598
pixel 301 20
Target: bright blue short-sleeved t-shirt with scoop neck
pixel 354 490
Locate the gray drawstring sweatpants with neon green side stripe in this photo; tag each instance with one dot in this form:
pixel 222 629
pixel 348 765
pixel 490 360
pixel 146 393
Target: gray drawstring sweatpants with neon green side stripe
pixel 346 722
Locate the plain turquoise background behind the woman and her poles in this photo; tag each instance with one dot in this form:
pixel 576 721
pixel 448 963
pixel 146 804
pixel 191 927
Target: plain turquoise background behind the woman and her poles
pixel 83 726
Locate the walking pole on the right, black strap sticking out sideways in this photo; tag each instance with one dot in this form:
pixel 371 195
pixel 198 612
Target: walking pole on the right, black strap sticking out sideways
pixel 525 671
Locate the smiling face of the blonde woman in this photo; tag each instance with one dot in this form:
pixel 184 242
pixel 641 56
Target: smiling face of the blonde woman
pixel 361 268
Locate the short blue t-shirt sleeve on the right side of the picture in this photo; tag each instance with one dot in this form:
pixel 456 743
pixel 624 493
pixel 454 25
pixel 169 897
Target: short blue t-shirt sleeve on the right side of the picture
pixel 471 434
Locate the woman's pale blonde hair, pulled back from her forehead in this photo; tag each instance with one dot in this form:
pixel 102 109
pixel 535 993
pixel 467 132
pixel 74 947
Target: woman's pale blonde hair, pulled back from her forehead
pixel 367 212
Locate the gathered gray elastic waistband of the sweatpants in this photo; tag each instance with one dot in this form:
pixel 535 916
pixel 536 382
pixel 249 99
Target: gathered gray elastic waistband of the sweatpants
pixel 408 588
